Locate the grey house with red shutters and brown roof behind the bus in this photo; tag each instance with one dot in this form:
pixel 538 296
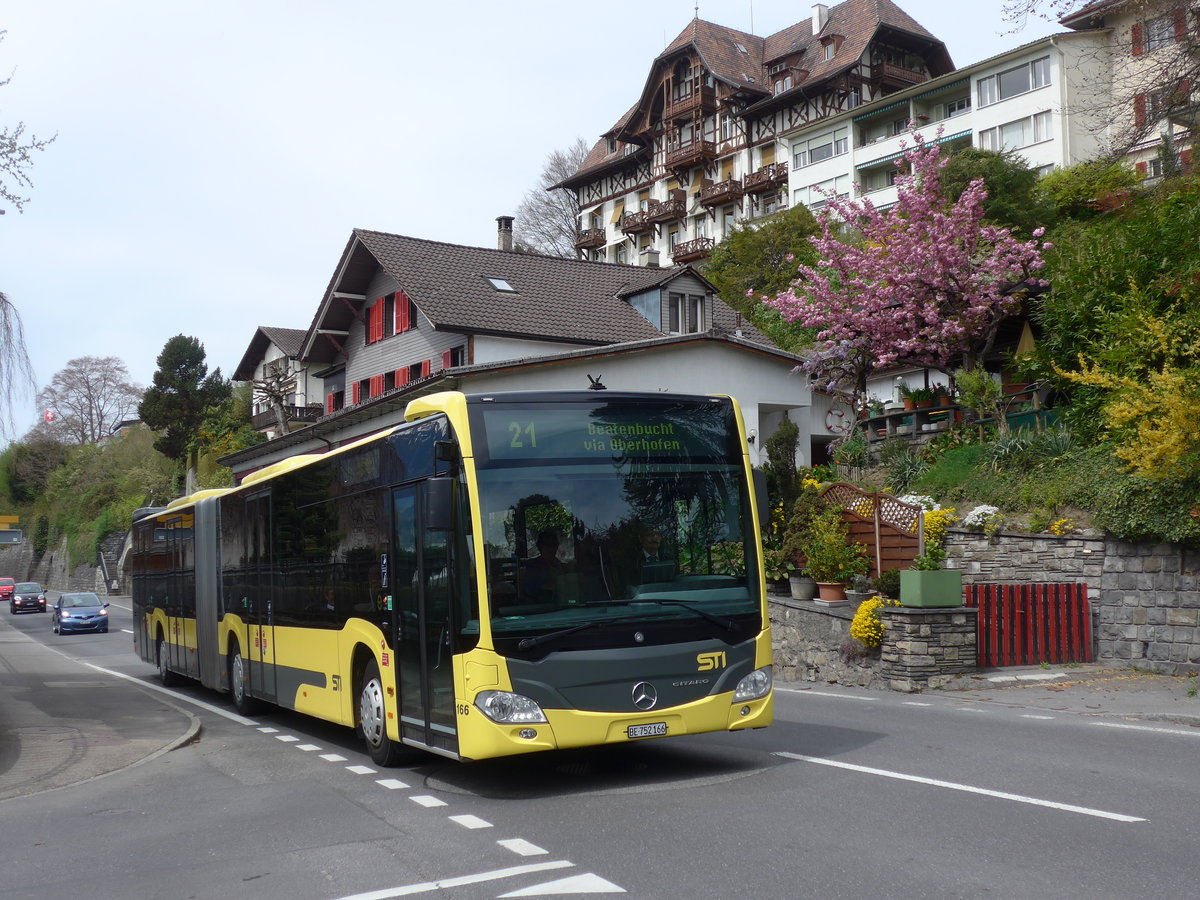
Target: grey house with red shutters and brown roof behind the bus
pixel 404 317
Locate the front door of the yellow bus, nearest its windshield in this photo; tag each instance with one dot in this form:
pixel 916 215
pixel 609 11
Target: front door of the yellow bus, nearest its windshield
pixel 423 622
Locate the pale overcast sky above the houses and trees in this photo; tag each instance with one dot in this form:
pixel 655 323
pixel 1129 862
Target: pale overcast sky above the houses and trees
pixel 212 159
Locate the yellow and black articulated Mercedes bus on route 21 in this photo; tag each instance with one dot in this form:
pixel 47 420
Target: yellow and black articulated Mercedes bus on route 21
pixel 501 574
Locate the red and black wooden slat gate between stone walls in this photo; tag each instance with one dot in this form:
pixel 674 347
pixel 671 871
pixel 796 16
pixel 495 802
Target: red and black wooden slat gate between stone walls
pixel 1028 625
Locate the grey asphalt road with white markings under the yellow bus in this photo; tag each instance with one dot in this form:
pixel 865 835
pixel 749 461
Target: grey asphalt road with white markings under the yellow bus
pixel 850 795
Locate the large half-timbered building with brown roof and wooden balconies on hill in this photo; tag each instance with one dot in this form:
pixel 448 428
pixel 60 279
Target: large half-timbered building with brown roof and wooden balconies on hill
pixel 706 145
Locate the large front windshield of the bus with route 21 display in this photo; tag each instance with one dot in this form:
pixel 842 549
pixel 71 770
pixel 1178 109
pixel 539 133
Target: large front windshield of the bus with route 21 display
pixel 616 524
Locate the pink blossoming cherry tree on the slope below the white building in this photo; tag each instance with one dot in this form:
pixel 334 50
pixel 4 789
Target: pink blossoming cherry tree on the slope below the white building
pixel 923 283
